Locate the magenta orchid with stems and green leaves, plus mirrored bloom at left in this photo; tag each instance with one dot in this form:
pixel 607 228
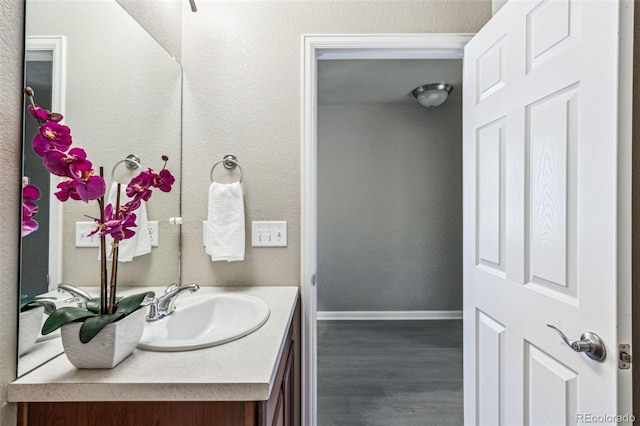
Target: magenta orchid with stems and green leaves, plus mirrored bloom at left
pixel 80 182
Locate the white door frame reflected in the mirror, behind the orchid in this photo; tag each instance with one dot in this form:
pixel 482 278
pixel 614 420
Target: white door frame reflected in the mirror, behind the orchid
pixel 56 47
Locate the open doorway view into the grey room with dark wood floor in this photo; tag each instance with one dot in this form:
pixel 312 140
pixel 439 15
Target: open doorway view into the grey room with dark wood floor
pixel 389 244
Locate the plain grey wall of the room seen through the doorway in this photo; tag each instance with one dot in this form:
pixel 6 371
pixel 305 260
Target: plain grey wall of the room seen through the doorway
pixel 389 207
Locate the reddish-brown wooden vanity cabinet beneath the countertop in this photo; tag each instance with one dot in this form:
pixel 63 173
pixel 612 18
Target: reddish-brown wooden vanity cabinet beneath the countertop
pixel 281 409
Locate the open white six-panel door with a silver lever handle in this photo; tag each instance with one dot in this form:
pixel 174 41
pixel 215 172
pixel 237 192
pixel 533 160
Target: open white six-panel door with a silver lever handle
pixel 541 219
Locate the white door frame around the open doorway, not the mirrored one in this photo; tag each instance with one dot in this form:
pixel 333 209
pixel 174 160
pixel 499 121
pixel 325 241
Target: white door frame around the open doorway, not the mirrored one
pixel 336 47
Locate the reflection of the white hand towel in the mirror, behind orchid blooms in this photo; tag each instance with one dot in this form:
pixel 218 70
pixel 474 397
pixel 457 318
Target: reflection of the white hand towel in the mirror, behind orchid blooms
pixel 140 243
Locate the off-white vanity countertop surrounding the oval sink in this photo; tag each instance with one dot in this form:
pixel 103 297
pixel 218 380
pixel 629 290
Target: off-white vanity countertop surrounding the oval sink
pixel 241 370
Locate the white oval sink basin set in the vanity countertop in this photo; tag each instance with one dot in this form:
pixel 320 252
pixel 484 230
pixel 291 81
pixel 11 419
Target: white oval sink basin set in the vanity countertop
pixel 205 320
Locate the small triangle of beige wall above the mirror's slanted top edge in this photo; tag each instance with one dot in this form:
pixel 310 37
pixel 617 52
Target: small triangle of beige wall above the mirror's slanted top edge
pixel 162 19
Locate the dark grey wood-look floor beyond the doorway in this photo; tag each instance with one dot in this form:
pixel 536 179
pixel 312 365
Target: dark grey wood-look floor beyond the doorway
pixel 390 373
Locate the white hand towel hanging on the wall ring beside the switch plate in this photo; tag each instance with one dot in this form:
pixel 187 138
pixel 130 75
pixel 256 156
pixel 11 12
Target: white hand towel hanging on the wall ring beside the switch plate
pixel 225 222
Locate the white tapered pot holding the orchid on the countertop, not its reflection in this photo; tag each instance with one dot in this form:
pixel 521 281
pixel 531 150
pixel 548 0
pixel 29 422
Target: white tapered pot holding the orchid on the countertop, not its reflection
pixel 113 344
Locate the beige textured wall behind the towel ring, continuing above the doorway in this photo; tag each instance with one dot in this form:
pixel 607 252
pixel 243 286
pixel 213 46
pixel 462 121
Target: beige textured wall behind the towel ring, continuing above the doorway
pixel 242 95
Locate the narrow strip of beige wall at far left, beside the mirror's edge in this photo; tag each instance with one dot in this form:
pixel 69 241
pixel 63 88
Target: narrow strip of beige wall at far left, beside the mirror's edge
pixel 11 57
